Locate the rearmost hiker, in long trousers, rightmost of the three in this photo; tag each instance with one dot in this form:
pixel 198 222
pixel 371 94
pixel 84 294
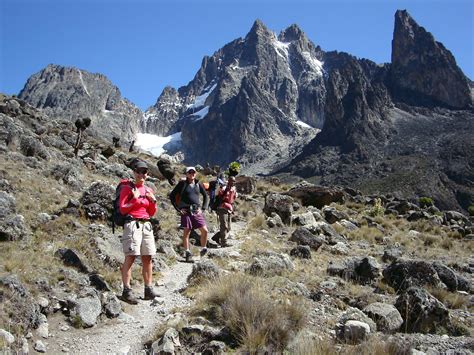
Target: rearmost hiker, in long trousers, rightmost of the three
pixel 227 195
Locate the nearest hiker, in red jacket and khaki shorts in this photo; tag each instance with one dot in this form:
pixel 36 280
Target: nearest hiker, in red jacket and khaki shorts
pixel 138 203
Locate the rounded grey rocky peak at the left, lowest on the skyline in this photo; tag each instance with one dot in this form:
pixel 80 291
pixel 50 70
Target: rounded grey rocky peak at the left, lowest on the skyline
pixel 72 93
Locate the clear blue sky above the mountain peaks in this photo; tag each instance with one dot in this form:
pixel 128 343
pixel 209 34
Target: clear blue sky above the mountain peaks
pixel 144 45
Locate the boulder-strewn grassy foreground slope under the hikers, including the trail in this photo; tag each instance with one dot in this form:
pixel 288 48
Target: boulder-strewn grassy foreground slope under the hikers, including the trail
pixel 318 267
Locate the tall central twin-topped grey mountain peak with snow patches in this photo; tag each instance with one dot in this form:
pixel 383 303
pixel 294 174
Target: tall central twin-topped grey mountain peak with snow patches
pixel 246 100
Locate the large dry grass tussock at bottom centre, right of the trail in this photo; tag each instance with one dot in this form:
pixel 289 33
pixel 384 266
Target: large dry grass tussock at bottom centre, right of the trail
pixel 258 323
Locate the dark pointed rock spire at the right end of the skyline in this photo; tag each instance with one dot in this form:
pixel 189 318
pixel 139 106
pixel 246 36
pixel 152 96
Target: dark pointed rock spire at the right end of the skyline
pixel 423 70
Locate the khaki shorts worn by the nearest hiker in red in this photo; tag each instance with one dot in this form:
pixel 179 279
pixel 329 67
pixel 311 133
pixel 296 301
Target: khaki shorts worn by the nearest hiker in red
pixel 138 239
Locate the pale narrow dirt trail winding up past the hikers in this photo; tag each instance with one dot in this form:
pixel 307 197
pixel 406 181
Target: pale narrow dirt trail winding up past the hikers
pixel 127 333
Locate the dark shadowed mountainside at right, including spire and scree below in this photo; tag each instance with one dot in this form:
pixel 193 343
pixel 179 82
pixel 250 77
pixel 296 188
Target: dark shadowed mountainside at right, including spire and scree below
pixel 391 128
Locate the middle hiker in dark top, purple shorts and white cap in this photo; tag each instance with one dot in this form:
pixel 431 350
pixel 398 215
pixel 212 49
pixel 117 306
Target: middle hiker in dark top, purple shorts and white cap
pixel 185 199
